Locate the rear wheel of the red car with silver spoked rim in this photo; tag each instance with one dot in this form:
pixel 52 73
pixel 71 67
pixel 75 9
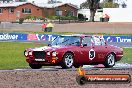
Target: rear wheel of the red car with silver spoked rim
pixel 110 61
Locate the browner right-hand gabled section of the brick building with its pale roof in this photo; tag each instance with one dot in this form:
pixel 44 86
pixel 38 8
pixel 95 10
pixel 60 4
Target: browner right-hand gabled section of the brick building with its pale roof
pixel 59 9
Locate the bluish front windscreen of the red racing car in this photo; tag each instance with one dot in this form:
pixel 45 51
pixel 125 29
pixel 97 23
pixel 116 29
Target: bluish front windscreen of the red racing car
pixel 66 40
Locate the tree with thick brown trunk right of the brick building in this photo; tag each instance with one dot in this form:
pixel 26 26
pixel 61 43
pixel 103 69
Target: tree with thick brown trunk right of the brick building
pixel 93 5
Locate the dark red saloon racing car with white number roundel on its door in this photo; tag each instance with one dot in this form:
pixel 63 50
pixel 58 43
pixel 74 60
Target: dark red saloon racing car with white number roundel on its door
pixel 74 50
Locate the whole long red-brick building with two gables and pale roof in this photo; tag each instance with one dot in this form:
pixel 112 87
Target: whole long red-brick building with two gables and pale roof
pixel 15 10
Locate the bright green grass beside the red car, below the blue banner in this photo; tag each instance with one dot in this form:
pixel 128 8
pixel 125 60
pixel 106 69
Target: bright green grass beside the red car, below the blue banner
pixel 12 57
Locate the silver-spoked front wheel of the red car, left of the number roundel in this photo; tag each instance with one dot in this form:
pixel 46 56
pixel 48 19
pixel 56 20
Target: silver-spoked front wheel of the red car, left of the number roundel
pixel 67 61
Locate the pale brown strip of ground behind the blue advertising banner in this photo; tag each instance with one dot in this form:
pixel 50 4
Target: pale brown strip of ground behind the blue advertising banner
pixel 87 27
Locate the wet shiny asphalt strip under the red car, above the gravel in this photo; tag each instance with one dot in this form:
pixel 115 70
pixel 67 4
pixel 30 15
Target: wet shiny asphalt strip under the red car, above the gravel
pixel 118 66
